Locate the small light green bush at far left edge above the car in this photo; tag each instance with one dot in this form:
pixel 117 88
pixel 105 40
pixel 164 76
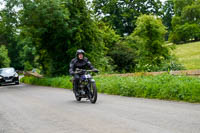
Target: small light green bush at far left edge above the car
pixel 4 59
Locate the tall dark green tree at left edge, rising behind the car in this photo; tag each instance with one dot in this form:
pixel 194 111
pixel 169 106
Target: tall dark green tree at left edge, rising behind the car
pixel 8 32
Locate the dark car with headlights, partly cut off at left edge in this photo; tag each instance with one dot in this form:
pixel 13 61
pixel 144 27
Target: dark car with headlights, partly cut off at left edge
pixel 8 75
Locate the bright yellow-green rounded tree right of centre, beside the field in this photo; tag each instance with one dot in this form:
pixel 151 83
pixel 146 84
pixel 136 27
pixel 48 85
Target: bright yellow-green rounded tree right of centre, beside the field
pixel 149 40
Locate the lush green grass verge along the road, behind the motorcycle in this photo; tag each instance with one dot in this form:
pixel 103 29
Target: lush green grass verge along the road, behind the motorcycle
pixel 169 87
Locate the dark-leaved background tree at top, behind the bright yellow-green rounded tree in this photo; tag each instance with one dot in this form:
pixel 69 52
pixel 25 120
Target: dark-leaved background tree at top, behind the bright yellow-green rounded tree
pixel 122 14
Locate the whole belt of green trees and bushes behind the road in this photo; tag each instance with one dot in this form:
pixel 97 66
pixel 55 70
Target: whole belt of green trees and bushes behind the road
pixel 45 34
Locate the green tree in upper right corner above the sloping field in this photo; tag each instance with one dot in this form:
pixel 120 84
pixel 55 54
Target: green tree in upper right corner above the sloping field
pixel 186 21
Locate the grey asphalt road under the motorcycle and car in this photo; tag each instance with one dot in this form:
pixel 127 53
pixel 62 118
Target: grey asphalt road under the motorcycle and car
pixel 36 109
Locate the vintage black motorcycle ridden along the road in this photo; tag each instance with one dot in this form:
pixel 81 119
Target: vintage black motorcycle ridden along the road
pixel 86 86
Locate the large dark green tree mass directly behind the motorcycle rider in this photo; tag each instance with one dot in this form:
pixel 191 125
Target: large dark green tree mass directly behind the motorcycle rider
pixel 56 30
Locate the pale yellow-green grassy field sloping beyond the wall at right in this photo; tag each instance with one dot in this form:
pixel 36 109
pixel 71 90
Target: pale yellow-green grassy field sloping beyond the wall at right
pixel 189 55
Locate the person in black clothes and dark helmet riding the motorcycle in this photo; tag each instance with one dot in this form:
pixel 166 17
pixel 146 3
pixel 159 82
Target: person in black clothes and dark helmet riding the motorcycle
pixel 79 62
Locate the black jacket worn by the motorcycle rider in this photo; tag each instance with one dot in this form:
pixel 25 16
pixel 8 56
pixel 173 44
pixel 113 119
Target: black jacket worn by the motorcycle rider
pixel 81 64
